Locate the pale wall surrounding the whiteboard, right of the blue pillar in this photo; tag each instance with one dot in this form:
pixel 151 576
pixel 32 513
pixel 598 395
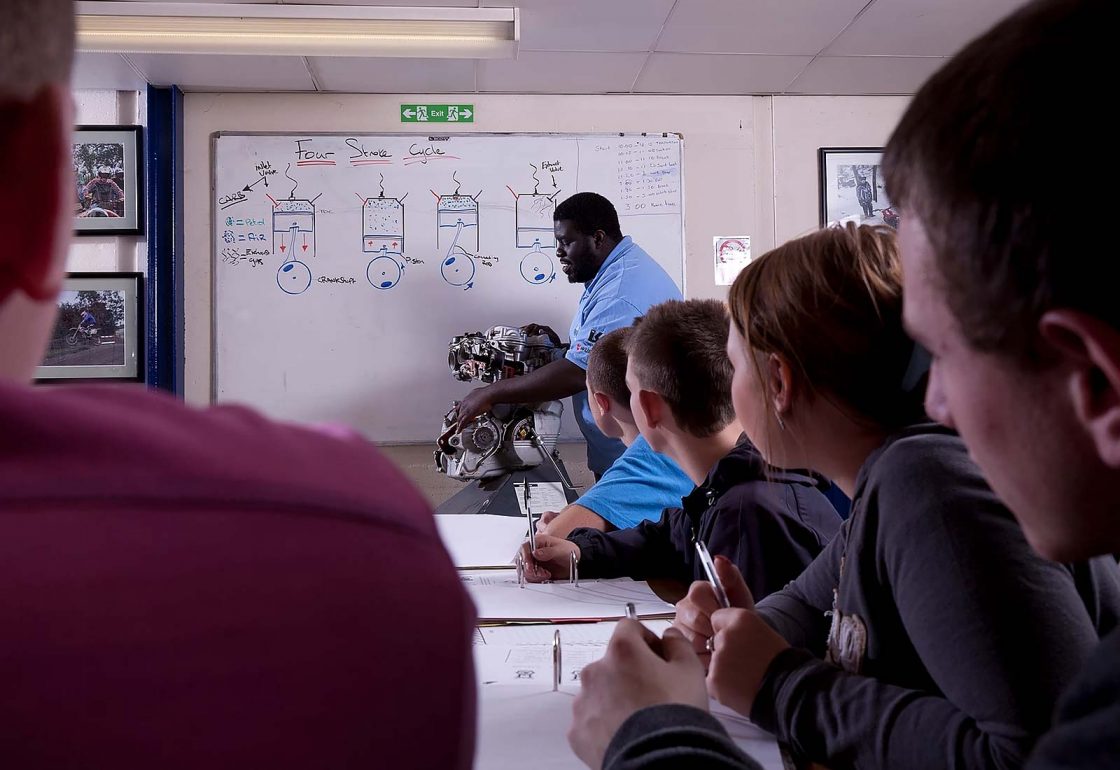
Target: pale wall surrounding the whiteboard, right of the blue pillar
pixel 750 164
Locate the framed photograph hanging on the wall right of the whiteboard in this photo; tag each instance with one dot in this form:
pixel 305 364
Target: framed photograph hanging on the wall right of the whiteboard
pixel 853 189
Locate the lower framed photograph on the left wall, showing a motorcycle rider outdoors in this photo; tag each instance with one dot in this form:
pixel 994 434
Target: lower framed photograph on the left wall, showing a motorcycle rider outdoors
pixel 99 330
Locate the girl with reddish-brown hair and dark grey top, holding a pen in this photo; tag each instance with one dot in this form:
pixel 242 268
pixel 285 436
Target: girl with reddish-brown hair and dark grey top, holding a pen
pixel 929 634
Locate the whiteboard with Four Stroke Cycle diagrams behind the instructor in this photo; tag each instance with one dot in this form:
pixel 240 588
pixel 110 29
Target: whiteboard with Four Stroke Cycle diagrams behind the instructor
pixel 346 264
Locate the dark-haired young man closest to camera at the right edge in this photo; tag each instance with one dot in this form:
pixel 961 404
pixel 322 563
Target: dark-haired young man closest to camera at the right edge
pixel 1018 303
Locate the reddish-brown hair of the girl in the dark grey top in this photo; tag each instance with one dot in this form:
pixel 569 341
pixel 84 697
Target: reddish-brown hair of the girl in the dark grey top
pixel 832 305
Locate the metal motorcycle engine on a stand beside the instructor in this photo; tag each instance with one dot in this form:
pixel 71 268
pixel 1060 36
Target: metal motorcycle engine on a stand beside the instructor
pixel 511 437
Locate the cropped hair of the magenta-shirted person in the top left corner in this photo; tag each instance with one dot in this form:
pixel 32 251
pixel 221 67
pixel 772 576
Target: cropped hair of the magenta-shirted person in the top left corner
pixel 36 46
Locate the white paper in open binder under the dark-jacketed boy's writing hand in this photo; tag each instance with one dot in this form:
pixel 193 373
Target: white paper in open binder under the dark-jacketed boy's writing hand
pixel 499 597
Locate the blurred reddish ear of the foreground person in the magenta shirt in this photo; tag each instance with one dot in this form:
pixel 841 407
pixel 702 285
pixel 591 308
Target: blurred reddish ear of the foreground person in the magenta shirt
pixel 36 151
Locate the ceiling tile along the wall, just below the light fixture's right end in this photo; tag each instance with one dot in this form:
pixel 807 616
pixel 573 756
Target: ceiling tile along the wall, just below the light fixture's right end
pixel 561 73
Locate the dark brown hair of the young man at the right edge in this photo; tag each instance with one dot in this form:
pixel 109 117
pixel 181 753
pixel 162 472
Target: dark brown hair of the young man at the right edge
pixel 1002 221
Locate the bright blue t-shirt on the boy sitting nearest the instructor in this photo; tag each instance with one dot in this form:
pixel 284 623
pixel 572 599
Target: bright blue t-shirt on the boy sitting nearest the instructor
pixel 639 486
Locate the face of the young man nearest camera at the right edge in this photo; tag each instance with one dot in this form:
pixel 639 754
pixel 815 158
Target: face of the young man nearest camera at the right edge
pixel 1015 420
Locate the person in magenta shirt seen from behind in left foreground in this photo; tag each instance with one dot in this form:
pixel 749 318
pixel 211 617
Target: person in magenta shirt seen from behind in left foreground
pixel 194 588
